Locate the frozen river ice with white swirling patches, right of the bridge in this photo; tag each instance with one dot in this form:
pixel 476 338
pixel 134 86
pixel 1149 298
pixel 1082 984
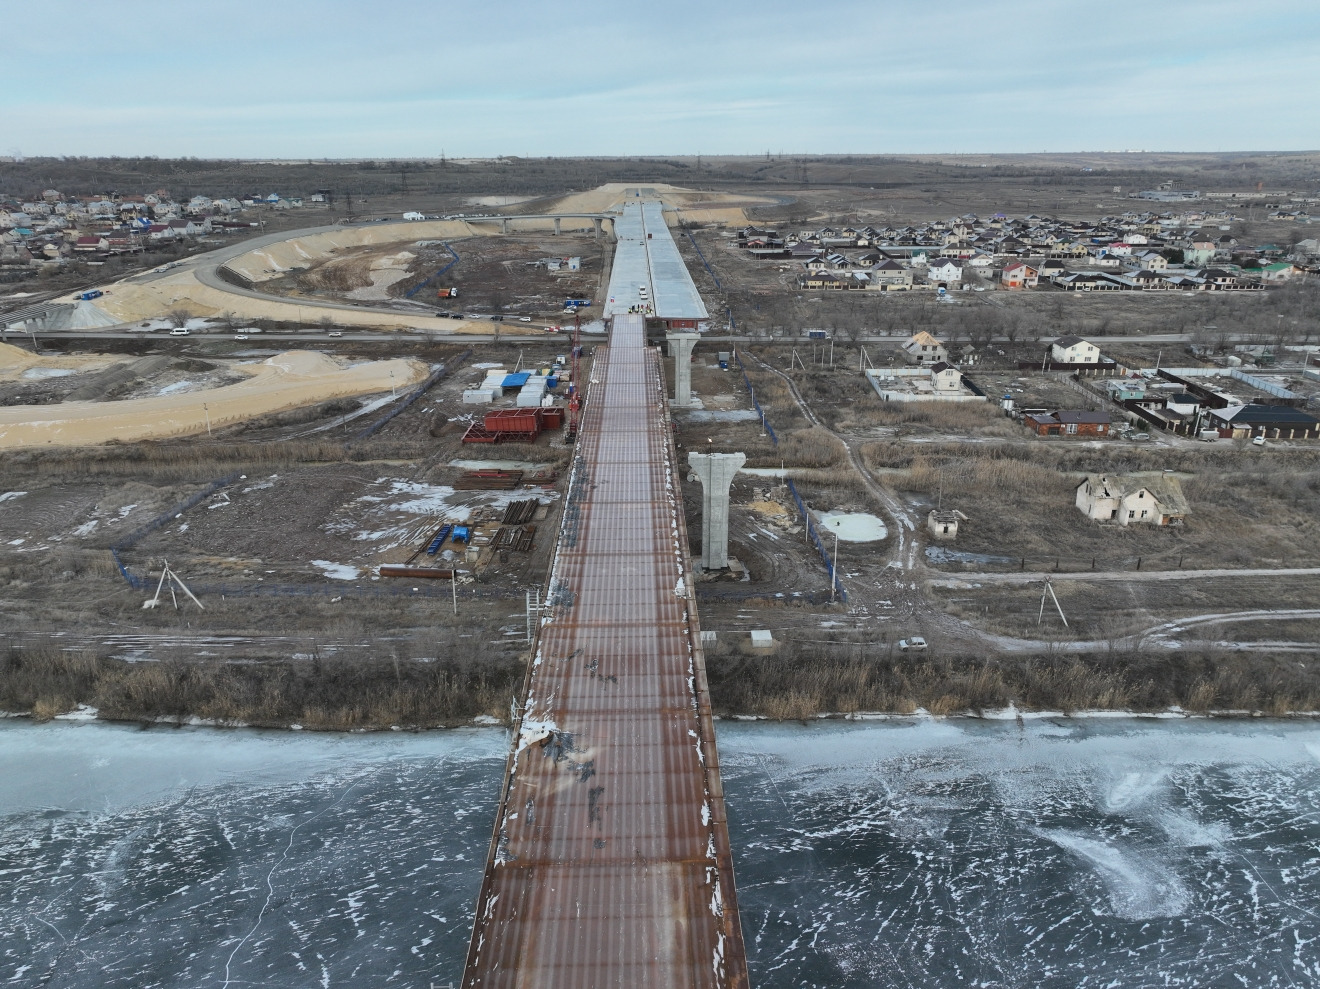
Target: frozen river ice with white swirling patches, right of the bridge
pixel 1054 854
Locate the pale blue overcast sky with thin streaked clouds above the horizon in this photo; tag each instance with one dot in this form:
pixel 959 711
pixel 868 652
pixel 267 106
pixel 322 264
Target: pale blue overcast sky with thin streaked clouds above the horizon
pixel 414 79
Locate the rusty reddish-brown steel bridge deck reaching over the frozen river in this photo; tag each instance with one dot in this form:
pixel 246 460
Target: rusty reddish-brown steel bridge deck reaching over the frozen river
pixel 610 862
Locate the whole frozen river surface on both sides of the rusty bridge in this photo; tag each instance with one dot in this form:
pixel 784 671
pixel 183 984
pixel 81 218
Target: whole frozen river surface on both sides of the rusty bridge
pixel 905 854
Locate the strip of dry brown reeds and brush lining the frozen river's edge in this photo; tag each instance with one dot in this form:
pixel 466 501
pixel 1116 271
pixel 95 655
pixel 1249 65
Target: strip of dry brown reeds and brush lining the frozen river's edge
pixel 805 683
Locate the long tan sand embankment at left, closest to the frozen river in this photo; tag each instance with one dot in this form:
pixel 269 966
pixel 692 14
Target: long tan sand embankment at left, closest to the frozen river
pixel 283 382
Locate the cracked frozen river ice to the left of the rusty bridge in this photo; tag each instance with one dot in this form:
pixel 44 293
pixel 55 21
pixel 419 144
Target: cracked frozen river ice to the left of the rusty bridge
pixel 197 858
